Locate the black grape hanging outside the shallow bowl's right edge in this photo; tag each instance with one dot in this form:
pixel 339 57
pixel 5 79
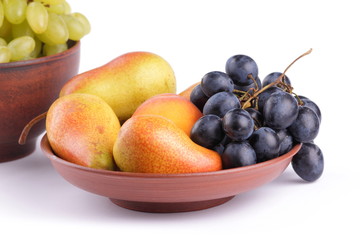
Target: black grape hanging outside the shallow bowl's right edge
pixel 308 163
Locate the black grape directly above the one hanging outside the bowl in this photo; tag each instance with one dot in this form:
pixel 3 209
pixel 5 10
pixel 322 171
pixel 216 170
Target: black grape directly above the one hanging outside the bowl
pixel 306 126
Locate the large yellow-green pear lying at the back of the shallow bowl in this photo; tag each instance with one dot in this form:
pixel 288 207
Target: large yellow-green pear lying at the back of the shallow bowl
pixel 126 82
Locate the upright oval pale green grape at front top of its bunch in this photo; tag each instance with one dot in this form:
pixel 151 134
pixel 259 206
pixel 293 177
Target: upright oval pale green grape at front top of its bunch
pixel 37 17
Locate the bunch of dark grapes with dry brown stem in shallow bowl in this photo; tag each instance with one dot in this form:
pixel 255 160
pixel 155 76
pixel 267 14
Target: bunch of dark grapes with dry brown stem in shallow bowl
pixel 248 121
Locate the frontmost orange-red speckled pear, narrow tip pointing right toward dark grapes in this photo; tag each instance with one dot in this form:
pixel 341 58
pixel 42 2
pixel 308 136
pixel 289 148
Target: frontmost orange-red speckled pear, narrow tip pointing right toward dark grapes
pixel 154 144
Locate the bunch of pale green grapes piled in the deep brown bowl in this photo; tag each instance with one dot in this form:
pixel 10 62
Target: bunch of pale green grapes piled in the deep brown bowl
pixel 35 28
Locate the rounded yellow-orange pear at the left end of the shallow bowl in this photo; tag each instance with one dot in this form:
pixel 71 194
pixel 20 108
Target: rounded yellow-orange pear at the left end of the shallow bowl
pixel 82 129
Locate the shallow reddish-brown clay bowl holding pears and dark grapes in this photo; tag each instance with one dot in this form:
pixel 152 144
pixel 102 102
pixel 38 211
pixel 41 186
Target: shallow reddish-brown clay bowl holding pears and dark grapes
pixel 164 193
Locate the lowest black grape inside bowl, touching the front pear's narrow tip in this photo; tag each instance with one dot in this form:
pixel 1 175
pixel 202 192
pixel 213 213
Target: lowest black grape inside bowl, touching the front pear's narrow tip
pixel 238 154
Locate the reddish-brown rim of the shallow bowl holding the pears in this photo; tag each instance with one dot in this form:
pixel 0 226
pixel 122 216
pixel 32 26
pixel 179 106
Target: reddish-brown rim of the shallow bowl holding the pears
pixel 46 148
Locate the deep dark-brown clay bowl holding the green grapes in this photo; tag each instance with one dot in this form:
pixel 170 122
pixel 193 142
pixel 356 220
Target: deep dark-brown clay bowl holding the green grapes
pixel 27 89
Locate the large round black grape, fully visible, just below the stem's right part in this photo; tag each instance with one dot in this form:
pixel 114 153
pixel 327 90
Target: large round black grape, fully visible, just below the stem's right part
pixel 280 110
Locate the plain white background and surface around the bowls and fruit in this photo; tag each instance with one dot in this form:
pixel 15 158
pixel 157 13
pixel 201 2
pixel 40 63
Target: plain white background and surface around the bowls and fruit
pixel 196 37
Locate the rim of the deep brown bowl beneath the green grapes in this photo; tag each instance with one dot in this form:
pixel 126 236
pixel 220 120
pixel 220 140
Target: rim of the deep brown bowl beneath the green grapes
pixel 74 46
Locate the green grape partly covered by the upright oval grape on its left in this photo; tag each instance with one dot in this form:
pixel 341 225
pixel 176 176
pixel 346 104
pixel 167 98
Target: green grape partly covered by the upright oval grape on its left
pixel 56 33
